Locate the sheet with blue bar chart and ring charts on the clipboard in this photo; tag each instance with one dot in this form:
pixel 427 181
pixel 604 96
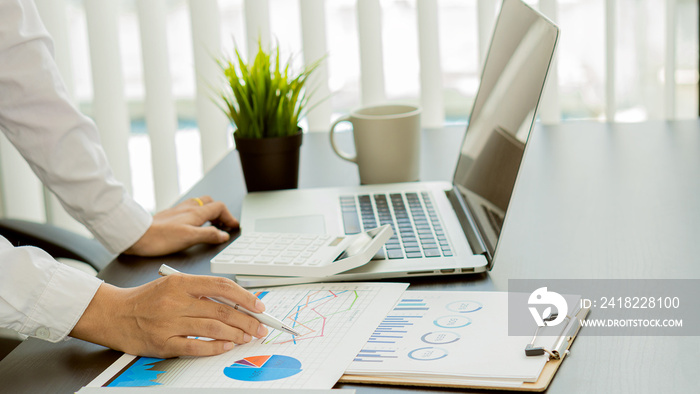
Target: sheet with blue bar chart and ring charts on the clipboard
pixel 451 337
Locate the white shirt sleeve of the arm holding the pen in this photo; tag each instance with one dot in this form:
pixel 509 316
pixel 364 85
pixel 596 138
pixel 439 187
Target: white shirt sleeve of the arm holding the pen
pixel 39 296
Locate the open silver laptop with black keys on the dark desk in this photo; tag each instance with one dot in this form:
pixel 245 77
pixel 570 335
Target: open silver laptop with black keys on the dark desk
pixel 440 228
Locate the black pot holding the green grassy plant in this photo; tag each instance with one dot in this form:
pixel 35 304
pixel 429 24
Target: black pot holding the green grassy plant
pixel 270 163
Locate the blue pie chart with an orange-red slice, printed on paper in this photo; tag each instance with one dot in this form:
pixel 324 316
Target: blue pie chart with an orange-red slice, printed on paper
pixel 263 368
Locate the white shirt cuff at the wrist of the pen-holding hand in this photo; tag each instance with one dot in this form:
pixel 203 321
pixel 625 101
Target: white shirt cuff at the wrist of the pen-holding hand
pixel 68 294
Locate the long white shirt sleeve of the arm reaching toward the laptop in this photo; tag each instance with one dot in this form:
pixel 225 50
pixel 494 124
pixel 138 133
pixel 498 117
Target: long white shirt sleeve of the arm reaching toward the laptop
pixel 60 144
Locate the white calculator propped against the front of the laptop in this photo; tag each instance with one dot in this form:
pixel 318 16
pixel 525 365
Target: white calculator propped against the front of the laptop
pixel 291 254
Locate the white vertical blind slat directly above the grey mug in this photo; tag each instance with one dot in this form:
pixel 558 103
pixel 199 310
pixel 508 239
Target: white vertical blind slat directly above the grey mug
pixel 369 21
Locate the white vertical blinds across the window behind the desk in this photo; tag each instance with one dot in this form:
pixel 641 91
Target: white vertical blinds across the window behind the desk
pixel 23 197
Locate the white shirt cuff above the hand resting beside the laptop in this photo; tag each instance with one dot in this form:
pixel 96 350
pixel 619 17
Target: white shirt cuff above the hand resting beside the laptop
pixel 123 226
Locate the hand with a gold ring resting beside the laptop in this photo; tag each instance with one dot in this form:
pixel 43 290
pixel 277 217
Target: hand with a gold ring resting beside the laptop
pixel 180 227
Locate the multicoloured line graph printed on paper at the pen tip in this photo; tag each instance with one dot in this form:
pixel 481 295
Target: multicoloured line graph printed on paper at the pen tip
pixel 313 315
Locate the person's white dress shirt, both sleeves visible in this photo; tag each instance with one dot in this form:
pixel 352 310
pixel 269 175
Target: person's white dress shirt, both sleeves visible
pixel 39 296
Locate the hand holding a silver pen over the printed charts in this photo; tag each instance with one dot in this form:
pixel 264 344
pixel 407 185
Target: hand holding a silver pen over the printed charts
pixel 156 318
